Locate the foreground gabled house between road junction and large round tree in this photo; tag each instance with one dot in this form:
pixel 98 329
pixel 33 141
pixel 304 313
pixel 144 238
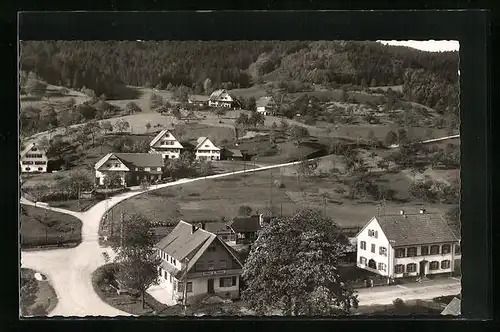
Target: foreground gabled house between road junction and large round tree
pixel 198 260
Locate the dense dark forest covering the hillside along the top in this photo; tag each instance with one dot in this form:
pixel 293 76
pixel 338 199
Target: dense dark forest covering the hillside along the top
pixel 107 67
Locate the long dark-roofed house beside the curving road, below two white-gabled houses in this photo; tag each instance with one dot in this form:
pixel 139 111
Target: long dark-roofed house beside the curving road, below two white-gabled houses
pixel 133 168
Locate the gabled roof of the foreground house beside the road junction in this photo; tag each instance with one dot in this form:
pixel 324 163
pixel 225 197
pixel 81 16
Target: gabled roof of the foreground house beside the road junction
pixel 182 243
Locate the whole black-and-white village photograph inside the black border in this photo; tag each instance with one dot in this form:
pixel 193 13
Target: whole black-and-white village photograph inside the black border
pixel 315 178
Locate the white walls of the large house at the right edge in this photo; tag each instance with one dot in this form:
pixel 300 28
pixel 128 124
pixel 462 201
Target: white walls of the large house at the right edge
pixel 375 253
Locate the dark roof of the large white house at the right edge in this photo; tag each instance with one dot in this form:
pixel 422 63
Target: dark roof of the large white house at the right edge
pixel 410 229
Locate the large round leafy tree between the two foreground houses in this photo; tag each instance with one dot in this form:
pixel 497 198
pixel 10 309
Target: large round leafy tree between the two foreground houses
pixel 292 267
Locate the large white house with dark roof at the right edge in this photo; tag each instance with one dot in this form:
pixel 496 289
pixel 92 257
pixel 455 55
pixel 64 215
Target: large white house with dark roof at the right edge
pixel 408 245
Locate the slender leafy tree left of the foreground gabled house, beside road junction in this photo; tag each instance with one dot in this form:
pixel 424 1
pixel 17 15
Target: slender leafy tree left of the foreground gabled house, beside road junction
pixel 135 253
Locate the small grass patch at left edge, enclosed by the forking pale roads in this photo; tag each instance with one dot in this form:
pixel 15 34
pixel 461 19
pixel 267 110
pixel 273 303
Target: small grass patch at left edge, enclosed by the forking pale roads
pixel 40 227
